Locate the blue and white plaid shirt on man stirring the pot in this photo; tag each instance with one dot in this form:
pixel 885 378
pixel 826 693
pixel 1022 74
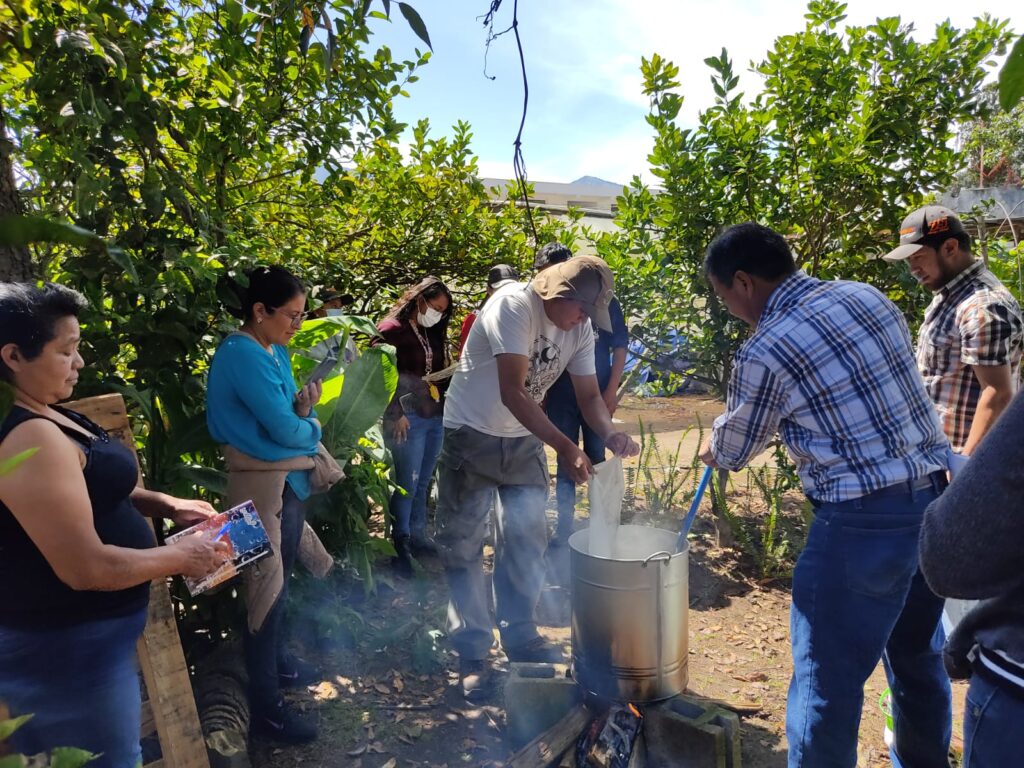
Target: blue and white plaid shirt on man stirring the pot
pixel 831 367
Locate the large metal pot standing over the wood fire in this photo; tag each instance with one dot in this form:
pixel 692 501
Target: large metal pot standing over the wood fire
pixel 630 639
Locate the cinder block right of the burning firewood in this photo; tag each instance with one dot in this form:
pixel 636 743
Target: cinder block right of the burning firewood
pixel 687 734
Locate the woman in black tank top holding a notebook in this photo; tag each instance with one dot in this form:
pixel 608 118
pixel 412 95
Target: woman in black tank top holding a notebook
pixel 76 553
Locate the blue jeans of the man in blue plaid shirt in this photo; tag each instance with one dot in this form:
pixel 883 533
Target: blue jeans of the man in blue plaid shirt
pixel 859 596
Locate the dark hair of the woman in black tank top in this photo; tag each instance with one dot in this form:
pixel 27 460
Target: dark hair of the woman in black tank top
pixel 29 315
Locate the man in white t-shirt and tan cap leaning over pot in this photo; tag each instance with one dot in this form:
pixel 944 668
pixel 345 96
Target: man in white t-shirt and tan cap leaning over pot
pixel 495 431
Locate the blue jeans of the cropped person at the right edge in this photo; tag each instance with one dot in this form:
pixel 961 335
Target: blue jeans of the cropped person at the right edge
pixel 993 719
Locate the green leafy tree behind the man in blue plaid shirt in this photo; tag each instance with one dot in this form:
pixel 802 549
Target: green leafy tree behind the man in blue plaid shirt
pixel 851 127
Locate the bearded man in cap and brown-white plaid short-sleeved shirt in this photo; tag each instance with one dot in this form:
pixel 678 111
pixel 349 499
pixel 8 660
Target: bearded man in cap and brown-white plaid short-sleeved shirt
pixel 969 348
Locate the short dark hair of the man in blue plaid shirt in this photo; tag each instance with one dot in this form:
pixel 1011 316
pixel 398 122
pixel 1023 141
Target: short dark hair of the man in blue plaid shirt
pixel 751 248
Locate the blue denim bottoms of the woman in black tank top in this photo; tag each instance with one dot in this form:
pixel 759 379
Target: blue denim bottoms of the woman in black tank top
pixel 81 686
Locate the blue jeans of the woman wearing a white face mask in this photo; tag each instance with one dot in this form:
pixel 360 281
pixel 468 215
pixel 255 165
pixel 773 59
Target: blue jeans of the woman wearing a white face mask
pixel 414 467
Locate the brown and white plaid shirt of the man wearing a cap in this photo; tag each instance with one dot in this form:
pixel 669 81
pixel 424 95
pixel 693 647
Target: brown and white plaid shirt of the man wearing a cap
pixel 972 321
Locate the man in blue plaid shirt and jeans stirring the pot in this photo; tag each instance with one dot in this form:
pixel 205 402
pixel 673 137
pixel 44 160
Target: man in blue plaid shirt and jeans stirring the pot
pixel 830 366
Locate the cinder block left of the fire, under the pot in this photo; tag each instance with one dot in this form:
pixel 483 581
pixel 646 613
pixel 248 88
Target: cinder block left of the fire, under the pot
pixel 537 697
